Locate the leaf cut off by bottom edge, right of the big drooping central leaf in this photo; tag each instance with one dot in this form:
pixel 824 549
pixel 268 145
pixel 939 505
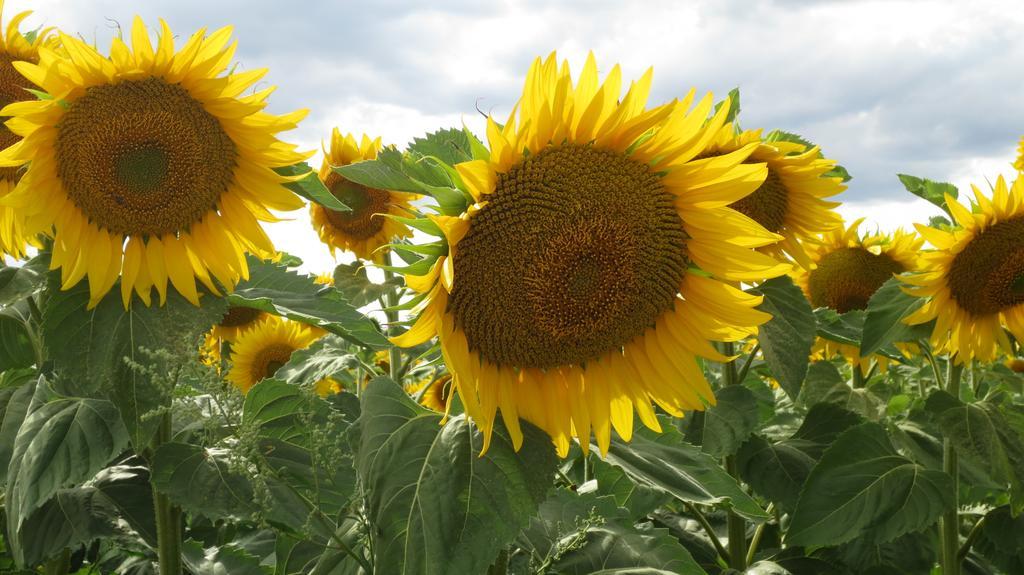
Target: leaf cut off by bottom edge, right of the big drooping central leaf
pixel 585 534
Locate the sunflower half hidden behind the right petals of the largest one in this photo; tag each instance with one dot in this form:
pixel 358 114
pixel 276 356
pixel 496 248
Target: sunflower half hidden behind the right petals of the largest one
pixel 791 201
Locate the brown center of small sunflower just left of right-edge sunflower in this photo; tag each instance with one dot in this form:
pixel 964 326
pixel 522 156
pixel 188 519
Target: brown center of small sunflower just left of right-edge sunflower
pixel 846 280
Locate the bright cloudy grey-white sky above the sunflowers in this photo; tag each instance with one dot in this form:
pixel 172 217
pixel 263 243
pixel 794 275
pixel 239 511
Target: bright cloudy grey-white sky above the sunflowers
pixel 927 89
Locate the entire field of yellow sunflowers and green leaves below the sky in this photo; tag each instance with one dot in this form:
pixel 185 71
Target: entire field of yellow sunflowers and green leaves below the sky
pixel 612 336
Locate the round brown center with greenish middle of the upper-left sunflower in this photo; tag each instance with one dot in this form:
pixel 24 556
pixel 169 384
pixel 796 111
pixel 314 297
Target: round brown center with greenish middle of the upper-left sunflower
pixel 144 157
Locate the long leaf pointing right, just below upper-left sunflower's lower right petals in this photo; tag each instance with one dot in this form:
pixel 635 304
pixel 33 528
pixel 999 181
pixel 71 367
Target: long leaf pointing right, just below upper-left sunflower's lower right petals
pixel 274 289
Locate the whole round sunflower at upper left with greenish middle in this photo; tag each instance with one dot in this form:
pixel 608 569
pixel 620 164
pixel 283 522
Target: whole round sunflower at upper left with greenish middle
pixel 150 165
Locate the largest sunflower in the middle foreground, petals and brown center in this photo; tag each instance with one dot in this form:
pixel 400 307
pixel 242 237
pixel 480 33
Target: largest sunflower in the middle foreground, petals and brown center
pixel 570 295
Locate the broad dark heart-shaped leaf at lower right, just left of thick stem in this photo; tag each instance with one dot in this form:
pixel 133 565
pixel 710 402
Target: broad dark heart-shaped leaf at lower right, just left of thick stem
pixel 864 489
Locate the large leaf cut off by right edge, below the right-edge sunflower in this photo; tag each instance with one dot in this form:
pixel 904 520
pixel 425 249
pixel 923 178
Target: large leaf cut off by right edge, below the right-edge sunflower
pixel 983 434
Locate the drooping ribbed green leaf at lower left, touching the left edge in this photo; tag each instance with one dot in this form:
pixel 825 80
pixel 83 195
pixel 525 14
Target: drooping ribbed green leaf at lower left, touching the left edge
pixel 62 444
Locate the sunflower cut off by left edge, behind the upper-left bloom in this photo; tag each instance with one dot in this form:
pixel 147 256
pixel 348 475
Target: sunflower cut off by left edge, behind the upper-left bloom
pixel 14 89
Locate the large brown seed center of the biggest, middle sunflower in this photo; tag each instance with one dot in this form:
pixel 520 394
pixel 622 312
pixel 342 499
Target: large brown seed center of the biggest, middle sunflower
pixel 576 253
